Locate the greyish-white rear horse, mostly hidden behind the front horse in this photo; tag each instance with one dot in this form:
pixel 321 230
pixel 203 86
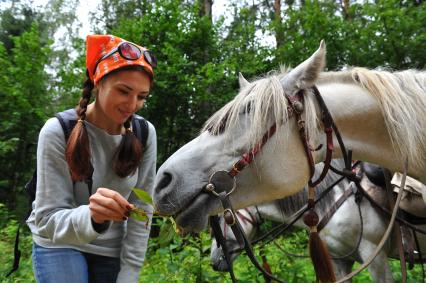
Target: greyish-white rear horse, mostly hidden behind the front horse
pixel 341 233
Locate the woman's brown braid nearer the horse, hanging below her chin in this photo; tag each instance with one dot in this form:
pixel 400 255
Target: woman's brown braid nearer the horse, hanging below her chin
pixel 129 153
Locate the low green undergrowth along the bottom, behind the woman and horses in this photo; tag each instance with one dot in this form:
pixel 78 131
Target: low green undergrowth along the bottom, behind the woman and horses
pixel 186 259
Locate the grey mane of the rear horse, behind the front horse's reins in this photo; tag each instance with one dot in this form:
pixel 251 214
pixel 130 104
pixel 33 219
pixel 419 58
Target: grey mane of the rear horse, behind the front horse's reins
pixel 291 204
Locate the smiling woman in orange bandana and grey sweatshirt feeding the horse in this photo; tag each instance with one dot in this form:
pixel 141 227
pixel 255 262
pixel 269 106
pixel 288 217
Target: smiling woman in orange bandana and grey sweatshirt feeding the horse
pixel 84 236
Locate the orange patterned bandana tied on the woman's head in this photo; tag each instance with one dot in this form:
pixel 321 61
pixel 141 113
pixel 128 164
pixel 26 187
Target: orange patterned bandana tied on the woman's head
pixel 103 53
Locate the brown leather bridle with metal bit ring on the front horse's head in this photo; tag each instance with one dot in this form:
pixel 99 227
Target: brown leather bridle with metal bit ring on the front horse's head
pixel 222 183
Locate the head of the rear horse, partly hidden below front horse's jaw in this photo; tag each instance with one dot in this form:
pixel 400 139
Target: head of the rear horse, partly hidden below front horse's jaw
pixel 249 224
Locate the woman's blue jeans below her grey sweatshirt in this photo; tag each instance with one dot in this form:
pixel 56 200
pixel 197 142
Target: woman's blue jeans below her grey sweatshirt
pixel 73 266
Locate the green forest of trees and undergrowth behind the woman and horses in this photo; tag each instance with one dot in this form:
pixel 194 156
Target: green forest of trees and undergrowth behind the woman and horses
pixel 199 61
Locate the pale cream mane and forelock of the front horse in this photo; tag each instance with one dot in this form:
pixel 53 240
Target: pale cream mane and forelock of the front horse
pixel 401 96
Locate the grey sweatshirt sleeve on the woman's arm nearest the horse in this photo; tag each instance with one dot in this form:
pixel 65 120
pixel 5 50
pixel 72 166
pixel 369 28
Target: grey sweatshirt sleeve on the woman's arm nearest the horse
pixel 135 242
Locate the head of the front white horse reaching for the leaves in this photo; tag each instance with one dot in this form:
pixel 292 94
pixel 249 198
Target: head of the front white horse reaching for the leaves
pixel 280 167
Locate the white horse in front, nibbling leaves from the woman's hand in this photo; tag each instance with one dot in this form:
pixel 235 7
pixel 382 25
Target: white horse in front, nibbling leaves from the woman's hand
pixel 381 117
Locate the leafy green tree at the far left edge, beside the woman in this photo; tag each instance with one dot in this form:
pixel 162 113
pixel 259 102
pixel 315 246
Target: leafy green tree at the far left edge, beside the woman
pixel 24 105
